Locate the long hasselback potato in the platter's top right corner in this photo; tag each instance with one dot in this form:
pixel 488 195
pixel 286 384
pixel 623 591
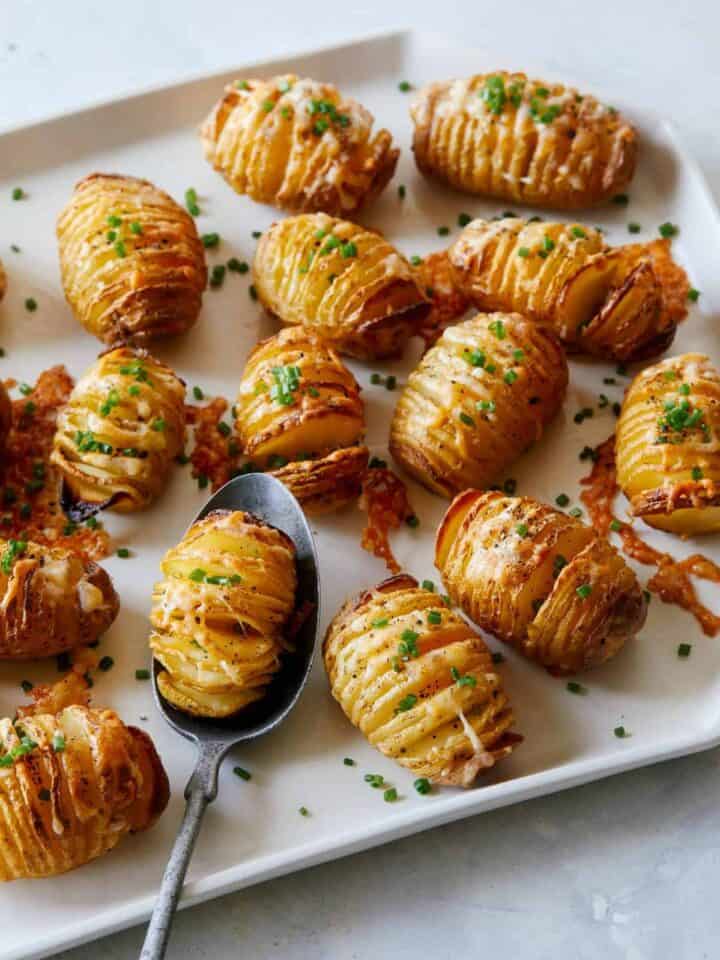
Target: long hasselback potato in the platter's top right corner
pixel 559 150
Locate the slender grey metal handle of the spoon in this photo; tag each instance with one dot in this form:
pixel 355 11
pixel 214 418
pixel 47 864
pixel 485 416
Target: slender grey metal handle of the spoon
pixel 200 791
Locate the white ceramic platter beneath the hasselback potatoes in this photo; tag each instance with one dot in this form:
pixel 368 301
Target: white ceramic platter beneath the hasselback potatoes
pixel 254 830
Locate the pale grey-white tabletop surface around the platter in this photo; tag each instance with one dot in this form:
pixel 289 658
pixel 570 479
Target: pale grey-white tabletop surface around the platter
pixel 626 868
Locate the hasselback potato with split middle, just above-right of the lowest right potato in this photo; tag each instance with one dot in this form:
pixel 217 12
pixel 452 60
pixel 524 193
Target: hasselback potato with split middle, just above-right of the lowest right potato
pixel 538 579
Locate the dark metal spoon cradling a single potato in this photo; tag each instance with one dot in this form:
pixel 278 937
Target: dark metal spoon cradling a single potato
pixel 269 500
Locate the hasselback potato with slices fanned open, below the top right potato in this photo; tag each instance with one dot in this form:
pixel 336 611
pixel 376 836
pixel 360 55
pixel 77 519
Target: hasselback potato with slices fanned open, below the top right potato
pixel 605 302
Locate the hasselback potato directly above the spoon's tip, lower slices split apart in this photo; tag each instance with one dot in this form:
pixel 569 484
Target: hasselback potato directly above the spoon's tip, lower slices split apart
pixel 299 414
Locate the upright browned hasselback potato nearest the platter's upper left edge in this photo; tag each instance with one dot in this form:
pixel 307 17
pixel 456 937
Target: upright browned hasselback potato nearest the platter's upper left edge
pixel 150 286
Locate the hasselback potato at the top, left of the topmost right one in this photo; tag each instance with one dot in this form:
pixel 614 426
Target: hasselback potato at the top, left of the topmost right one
pixel 298 144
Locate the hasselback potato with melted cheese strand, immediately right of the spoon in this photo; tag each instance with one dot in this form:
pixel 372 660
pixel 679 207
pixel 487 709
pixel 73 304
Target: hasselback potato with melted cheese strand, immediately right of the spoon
pixel 451 731
